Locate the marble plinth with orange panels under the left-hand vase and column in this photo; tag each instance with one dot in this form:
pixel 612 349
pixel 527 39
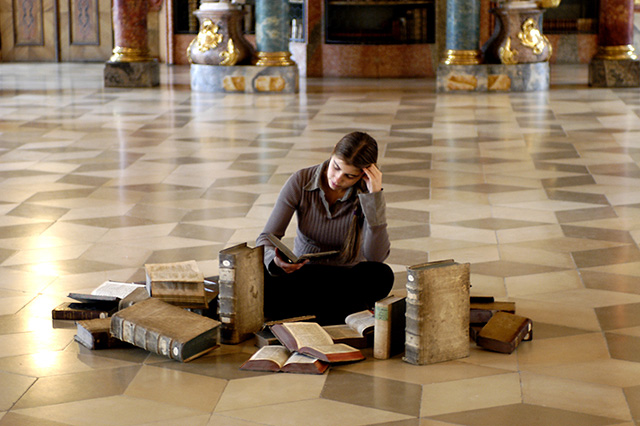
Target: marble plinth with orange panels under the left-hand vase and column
pixel 244 79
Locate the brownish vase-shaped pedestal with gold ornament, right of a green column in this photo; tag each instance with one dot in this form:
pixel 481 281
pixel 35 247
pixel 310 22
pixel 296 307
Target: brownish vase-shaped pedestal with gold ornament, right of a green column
pixel 517 38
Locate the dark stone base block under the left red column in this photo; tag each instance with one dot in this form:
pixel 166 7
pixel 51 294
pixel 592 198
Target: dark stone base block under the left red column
pixel 132 74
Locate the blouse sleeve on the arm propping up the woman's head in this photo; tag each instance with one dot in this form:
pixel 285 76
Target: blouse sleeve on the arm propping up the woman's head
pixel 375 245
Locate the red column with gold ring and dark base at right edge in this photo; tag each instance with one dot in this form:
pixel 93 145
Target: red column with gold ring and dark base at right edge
pixel 615 64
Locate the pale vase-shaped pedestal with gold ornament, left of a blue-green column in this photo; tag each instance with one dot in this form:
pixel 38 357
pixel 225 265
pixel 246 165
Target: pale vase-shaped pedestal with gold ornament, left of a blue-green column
pixel 220 40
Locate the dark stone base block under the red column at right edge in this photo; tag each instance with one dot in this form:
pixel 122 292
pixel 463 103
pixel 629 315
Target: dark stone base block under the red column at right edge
pixel 614 73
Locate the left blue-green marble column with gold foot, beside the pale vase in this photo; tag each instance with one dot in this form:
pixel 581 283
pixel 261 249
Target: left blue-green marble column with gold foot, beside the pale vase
pixel 272 33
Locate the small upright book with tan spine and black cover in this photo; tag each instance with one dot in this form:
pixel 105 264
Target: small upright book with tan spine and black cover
pixel 389 327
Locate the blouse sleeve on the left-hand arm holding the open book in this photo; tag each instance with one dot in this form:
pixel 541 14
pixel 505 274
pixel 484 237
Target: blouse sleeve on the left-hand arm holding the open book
pixel 286 204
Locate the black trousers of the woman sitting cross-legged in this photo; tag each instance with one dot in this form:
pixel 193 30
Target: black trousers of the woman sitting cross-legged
pixel 328 292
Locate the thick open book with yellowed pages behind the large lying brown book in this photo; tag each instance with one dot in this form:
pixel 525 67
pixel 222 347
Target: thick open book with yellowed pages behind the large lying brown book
pixel 178 283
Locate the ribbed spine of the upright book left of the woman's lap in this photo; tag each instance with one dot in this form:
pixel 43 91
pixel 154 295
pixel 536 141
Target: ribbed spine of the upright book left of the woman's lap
pixel 227 301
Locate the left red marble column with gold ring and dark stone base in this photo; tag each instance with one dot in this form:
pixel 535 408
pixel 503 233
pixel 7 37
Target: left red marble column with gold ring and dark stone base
pixel 130 64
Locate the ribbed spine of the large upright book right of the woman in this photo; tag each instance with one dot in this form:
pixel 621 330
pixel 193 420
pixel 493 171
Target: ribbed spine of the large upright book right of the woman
pixel 414 317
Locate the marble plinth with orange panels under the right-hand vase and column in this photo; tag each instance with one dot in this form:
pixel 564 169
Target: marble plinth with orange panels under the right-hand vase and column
pixel 493 78
